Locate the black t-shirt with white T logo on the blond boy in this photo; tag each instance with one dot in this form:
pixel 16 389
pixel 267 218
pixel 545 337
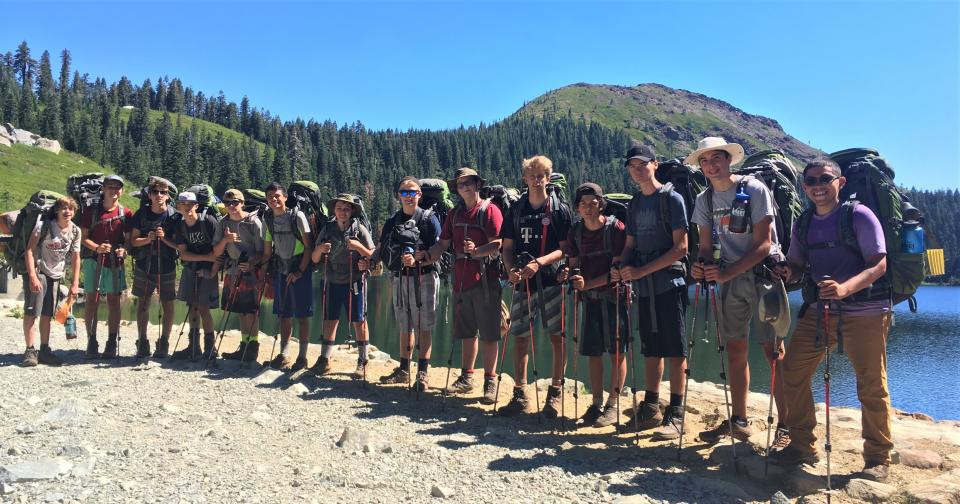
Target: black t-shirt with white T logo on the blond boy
pixel 528 235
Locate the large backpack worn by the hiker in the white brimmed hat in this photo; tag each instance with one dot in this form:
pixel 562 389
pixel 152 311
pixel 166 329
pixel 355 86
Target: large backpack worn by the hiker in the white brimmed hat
pixel 774 170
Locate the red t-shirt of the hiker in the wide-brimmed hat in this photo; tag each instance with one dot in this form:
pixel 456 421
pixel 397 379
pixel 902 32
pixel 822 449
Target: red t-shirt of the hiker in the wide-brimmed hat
pixel 467 272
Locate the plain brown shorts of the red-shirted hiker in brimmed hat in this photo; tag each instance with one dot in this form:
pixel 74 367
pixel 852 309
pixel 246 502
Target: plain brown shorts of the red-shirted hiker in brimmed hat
pixel 477 311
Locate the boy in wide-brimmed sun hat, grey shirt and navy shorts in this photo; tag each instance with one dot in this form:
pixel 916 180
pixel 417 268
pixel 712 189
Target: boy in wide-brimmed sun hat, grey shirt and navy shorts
pixel 344 248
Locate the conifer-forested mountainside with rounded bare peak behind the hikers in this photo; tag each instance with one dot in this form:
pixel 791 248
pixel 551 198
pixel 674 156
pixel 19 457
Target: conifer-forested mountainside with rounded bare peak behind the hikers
pixel 168 128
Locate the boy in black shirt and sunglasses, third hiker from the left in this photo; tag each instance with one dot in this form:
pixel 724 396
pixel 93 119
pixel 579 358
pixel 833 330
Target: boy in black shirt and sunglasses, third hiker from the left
pixel 155 265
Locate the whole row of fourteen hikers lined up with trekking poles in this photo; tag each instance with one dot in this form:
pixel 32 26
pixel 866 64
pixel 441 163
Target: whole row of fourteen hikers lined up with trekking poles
pixel 627 276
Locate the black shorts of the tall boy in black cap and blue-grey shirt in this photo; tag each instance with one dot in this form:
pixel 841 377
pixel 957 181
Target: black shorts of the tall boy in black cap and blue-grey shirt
pixel 668 338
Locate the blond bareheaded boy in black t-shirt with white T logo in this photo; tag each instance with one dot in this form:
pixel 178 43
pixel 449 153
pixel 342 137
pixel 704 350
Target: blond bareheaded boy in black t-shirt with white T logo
pixel 534 238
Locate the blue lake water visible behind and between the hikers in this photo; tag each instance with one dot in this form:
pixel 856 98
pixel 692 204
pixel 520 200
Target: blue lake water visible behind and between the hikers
pixel 922 349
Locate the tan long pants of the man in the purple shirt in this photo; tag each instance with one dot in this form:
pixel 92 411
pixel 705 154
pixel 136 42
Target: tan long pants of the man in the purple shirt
pixel 865 345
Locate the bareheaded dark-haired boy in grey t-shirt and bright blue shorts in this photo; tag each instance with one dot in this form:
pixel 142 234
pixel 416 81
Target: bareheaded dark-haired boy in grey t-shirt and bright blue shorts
pixel 287 250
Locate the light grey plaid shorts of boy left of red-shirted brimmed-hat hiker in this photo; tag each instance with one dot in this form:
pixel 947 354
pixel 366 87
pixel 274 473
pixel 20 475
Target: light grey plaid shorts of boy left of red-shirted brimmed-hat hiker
pixel 409 316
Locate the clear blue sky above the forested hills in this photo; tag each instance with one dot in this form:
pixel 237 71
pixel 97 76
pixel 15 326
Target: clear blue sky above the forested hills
pixel 881 74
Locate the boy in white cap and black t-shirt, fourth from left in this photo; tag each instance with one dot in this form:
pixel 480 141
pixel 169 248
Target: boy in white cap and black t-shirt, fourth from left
pixel 193 234
